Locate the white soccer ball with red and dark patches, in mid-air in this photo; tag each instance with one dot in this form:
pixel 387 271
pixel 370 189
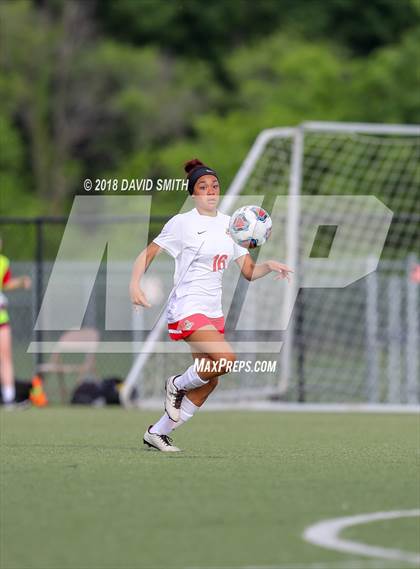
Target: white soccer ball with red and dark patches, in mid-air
pixel 250 226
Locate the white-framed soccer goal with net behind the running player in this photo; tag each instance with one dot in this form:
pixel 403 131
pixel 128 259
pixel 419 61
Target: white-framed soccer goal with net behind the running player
pixel 345 204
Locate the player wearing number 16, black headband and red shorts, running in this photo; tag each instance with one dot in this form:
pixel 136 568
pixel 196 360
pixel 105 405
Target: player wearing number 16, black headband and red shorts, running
pixel 202 248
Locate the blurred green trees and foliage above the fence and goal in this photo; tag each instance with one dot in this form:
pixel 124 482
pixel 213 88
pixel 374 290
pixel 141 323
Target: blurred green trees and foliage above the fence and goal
pixel 123 88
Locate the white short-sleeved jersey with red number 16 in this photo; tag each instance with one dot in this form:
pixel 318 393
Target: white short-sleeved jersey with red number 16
pixel 202 250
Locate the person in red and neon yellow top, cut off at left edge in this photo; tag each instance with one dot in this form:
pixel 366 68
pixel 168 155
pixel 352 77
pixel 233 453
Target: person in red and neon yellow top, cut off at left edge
pixel 7 282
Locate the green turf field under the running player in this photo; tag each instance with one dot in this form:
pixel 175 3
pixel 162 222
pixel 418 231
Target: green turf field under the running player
pixel 79 491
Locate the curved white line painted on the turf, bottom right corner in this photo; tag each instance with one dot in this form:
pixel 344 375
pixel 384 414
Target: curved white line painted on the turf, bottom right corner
pixel 326 534
